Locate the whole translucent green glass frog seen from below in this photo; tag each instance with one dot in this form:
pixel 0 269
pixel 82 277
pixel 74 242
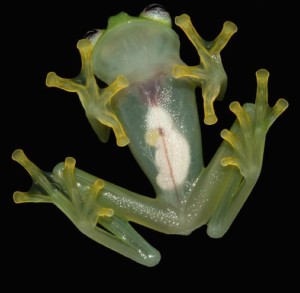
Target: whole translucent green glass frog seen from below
pixel 150 105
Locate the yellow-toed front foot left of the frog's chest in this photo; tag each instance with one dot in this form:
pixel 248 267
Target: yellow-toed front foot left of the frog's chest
pixel 97 103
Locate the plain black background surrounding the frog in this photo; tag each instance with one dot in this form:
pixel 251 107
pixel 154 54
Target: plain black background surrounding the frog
pixel 42 249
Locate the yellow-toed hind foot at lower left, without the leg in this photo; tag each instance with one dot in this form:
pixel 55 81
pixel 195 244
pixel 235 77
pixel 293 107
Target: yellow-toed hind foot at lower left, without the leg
pixel 61 188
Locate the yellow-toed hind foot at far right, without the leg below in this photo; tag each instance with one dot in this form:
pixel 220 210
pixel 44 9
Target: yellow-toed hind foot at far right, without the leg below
pixel 254 120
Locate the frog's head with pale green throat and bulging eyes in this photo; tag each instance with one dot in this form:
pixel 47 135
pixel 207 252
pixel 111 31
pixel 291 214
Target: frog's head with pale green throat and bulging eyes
pixel 130 44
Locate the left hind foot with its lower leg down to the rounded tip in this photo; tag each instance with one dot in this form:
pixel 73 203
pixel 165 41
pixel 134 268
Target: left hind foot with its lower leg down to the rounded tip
pixel 78 200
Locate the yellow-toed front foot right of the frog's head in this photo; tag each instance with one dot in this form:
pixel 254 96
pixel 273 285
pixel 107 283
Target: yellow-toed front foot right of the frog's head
pixel 209 74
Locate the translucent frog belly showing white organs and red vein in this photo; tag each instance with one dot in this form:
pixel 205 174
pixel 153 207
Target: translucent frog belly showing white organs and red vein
pixel 161 139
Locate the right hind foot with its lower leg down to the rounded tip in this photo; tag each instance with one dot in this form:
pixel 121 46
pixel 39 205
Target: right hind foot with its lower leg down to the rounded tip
pixel 246 140
